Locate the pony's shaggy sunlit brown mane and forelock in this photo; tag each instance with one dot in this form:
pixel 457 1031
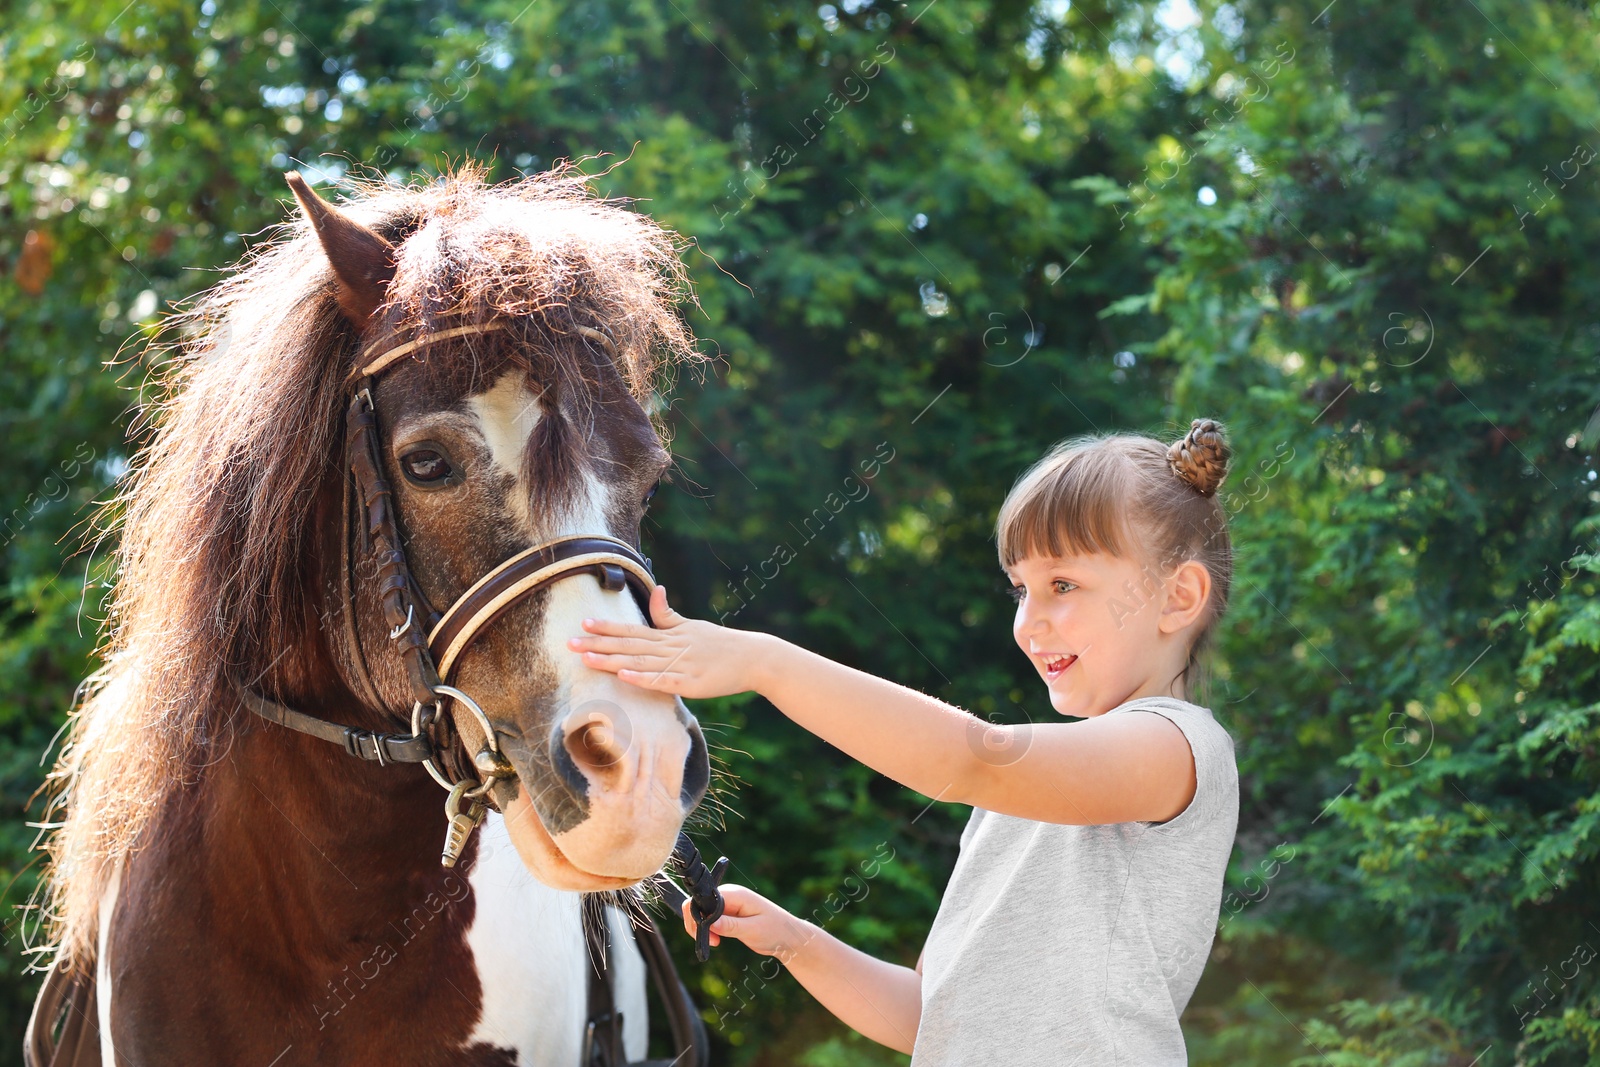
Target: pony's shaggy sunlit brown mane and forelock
pixel 214 519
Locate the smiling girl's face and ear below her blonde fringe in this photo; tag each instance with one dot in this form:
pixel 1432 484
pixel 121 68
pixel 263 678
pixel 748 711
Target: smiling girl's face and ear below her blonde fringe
pixel 1102 629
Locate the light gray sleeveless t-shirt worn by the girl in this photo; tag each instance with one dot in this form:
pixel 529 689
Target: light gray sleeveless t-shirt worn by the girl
pixel 1081 945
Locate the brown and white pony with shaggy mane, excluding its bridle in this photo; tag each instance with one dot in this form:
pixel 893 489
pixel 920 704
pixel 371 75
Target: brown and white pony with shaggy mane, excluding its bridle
pixel 249 895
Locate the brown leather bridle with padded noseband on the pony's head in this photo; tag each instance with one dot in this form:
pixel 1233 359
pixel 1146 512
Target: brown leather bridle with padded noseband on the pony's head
pixel 430 644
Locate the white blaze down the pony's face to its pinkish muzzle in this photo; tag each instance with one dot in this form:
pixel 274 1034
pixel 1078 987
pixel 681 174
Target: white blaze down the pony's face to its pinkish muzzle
pixel 634 794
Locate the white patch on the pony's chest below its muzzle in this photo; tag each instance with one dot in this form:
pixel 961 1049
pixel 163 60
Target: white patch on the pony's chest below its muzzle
pixel 529 949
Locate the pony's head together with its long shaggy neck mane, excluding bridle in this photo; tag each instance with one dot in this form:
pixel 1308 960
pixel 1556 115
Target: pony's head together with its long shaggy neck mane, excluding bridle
pixel 526 418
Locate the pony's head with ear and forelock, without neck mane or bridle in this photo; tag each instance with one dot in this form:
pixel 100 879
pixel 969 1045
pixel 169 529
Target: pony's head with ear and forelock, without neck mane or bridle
pixel 524 423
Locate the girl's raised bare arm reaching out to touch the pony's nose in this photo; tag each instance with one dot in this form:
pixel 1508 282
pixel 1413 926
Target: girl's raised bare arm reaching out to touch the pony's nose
pixel 1118 769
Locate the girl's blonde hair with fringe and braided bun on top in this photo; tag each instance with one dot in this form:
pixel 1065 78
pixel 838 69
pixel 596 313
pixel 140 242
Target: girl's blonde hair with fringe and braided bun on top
pixel 1135 498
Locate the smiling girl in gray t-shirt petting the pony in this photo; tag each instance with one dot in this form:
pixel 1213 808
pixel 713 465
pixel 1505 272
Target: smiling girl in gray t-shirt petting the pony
pixel 1090 876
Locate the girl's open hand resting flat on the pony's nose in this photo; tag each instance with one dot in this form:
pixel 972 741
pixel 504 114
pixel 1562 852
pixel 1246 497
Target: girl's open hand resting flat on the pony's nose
pixel 684 657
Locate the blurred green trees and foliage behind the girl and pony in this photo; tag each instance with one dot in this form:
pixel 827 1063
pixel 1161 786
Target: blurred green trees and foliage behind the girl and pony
pixel 953 233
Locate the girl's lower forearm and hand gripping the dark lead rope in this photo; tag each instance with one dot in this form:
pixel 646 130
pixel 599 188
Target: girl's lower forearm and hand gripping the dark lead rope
pixel 876 999
